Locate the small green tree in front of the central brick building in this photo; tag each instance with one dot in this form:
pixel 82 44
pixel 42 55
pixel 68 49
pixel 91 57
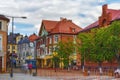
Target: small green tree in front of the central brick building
pixel 64 51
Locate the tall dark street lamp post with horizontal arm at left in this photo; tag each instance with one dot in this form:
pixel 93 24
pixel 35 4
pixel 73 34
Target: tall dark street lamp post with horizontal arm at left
pixel 13 17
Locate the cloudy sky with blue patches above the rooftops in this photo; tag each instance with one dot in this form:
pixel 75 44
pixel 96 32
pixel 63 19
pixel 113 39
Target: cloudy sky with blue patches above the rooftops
pixel 81 12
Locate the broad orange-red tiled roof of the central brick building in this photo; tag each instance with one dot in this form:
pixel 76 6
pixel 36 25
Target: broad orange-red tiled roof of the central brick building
pixel 63 26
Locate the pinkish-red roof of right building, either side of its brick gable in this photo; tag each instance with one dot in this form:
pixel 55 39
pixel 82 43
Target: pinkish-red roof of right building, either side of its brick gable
pixel 115 16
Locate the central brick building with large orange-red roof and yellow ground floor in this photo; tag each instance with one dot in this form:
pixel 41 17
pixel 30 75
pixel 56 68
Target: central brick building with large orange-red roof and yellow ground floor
pixel 51 32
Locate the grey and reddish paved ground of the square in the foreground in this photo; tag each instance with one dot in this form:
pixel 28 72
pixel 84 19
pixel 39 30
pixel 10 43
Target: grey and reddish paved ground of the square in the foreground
pixel 50 74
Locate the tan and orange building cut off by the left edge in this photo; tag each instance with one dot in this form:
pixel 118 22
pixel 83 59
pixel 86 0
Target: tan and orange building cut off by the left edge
pixel 3 42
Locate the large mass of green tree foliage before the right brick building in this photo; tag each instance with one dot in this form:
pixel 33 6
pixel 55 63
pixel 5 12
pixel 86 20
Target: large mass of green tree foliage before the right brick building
pixel 101 44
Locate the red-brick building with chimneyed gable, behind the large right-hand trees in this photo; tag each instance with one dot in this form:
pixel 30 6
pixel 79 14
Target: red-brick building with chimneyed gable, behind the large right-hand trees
pixel 106 18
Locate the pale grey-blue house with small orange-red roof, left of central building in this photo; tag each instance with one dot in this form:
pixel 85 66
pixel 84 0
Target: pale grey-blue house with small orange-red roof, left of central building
pixel 27 48
